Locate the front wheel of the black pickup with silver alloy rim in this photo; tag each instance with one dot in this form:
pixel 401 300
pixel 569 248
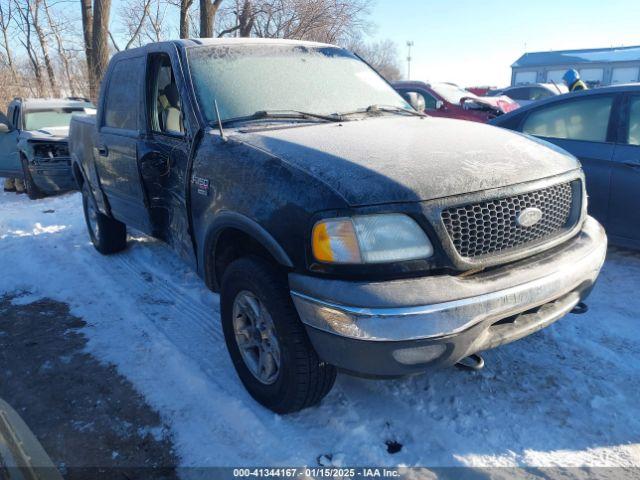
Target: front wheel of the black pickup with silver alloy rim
pixel 266 340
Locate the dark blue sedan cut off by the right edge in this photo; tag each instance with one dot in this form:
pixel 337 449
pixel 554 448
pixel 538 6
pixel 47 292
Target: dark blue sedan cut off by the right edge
pixel 602 128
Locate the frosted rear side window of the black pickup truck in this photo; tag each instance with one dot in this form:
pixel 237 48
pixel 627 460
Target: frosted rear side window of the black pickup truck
pixel 123 95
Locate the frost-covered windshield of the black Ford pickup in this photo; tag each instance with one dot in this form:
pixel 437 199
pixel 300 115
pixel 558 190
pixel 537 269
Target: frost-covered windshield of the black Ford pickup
pixel 250 78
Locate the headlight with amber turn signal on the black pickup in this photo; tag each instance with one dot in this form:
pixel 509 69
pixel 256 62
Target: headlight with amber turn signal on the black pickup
pixel 369 239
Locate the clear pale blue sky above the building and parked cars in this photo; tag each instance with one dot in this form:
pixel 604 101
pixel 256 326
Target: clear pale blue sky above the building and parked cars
pixel 475 42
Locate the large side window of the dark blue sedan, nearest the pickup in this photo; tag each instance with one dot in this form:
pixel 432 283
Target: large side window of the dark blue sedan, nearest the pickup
pixel 581 119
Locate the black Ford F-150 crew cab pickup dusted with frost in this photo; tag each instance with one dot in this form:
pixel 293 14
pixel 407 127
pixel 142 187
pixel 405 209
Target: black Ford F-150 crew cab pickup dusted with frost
pixel 343 229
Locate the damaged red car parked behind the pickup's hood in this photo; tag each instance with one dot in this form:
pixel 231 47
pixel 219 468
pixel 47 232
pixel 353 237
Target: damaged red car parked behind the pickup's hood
pixel 449 100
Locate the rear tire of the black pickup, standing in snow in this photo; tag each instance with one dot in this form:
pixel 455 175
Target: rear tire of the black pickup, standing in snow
pixel 108 235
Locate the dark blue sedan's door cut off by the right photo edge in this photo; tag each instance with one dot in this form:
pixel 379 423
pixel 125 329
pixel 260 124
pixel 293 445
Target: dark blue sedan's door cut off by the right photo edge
pixel 624 225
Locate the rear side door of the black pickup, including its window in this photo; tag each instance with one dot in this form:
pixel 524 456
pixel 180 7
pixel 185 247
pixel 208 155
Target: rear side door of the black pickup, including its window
pixel 116 149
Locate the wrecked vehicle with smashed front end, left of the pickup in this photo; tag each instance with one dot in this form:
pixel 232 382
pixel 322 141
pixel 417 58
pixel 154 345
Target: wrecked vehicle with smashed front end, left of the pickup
pixel 33 143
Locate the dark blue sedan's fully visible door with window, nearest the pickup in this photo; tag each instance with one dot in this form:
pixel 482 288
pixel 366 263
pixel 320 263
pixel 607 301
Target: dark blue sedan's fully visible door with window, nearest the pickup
pixel 583 126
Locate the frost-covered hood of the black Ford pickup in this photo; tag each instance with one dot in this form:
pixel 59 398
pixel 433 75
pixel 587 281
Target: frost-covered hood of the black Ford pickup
pixel 405 159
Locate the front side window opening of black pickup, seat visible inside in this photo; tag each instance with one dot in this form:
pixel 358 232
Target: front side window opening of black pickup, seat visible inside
pixel 165 108
